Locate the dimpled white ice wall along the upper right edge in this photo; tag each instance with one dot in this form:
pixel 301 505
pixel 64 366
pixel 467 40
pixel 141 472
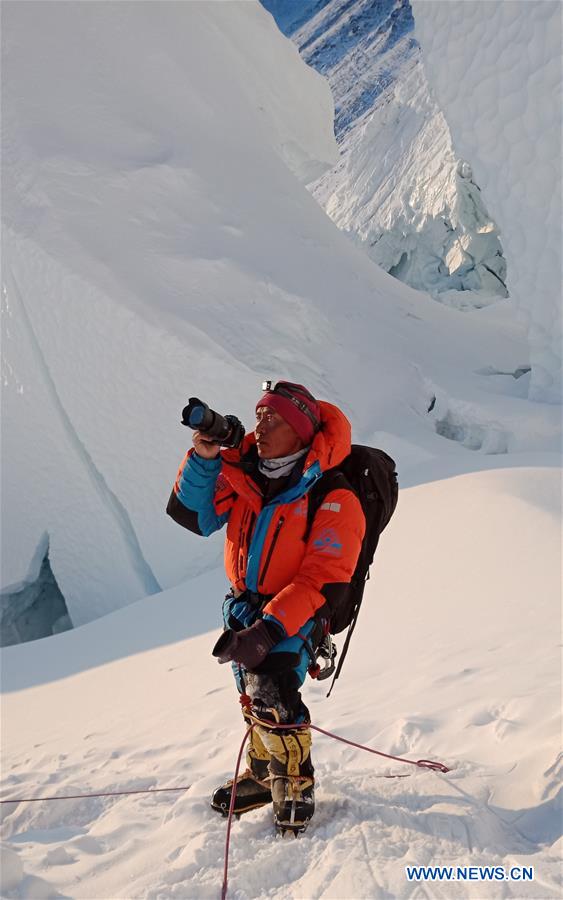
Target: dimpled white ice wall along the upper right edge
pixel 496 71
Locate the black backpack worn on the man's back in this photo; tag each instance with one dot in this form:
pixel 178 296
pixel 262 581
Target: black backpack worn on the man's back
pixel 371 475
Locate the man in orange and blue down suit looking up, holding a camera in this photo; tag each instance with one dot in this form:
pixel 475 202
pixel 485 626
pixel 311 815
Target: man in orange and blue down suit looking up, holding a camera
pixel 284 584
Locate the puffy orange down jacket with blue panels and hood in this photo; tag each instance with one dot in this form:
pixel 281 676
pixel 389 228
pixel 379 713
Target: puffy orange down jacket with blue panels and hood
pixel 265 550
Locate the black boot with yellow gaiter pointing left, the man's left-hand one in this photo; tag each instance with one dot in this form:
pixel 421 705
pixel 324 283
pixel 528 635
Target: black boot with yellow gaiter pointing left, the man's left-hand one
pixel 253 785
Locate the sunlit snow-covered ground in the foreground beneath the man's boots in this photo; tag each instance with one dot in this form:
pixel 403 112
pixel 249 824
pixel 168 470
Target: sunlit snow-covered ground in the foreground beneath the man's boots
pixel 455 659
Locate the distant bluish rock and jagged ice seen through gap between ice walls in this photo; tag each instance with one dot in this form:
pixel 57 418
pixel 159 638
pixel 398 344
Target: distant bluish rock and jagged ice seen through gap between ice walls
pixel 397 190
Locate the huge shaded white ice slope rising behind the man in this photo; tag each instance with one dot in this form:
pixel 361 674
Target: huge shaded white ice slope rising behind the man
pixel 158 244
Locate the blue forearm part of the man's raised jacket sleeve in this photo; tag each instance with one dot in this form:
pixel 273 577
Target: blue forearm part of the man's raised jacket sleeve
pixel 196 489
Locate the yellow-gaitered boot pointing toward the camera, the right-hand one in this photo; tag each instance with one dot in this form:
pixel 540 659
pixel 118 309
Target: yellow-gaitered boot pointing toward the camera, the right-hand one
pixel 293 779
